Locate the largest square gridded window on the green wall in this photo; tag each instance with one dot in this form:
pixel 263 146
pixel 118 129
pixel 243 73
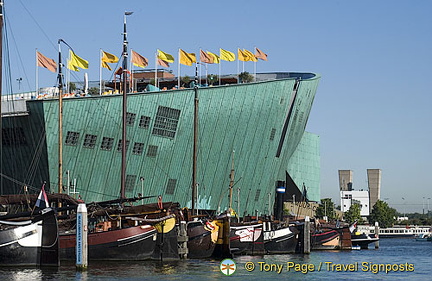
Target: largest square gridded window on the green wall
pixel 166 122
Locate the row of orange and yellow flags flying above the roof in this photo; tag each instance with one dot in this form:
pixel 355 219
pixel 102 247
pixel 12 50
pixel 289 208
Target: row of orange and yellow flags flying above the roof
pixel 74 62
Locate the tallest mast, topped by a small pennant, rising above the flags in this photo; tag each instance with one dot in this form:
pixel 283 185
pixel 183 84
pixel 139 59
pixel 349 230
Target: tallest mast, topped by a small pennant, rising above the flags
pixel 125 55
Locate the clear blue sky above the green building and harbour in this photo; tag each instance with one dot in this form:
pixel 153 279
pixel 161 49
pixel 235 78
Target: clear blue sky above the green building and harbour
pixel 373 105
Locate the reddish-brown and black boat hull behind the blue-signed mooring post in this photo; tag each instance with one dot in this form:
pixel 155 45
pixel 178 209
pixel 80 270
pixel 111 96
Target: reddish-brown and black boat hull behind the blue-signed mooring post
pixel 133 243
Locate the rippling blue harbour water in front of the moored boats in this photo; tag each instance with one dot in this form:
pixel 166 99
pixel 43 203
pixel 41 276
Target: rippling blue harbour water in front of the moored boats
pixel 392 252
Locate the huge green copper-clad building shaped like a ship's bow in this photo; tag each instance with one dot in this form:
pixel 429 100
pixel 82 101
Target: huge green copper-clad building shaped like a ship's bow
pixel 258 128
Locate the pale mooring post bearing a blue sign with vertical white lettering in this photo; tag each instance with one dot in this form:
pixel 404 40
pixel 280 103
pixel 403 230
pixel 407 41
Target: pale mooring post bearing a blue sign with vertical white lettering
pixel 81 238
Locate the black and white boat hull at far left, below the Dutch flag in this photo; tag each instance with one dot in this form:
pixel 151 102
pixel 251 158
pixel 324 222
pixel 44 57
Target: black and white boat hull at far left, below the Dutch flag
pixel 35 244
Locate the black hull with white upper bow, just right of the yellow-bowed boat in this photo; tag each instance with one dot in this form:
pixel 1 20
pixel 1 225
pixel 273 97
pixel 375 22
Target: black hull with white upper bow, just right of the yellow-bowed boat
pixel 247 240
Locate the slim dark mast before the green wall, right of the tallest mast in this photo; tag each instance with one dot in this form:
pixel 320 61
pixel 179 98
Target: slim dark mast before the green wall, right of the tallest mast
pixel 195 140
